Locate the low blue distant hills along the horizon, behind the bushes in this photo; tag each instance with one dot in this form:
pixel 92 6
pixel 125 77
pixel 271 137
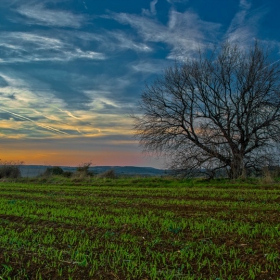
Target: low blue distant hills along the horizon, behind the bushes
pixel 36 170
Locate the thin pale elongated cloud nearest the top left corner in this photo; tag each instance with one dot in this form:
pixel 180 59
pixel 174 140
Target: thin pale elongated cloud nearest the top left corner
pixel 40 15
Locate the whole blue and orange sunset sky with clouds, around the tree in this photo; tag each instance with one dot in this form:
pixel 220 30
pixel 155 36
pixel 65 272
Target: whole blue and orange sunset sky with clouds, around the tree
pixel 72 71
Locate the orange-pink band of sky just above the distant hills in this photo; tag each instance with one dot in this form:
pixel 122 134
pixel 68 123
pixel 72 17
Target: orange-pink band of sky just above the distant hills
pixel 75 151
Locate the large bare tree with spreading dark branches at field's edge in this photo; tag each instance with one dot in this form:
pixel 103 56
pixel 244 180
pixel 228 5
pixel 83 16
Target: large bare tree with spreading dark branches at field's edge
pixel 219 111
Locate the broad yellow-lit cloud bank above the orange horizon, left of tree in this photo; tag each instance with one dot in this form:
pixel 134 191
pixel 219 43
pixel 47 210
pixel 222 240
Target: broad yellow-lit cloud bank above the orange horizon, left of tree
pixel 40 113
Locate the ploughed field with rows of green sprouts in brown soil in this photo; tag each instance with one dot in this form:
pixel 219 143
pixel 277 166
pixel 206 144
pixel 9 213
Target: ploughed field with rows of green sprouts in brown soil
pixel 139 229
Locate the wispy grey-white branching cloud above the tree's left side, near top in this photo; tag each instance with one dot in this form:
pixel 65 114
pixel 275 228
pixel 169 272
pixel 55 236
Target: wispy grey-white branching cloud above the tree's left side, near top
pixel 184 33
